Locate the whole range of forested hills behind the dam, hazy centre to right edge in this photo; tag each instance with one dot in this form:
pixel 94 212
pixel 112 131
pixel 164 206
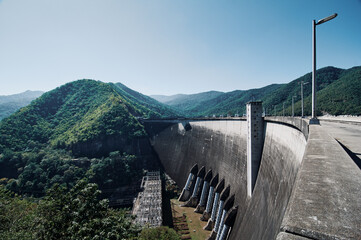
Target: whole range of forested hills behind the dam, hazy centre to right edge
pixel 338 94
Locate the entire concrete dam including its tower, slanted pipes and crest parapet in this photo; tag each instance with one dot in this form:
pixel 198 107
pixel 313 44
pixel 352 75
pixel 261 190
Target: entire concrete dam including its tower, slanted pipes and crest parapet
pixel 305 185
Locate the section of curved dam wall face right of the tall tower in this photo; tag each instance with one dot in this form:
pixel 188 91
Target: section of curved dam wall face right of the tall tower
pixel 282 156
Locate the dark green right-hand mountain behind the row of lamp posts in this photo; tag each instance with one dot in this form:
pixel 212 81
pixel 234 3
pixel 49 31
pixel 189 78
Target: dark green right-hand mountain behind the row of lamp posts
pixel 337 93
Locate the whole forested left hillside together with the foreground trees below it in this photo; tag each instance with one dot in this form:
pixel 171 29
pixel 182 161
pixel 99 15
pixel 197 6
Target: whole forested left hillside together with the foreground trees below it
pixel 57 157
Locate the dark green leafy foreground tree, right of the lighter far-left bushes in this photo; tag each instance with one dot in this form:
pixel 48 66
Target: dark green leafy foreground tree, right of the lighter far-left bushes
pixel 79 214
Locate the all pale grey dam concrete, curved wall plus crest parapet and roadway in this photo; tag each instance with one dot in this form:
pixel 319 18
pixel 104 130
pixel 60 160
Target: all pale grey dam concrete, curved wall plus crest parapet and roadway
pixel 314 190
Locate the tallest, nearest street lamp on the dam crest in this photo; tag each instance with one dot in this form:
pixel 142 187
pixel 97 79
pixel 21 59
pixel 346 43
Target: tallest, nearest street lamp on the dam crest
pixel 314 119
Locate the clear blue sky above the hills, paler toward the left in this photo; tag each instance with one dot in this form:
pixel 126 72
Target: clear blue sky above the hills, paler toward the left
pixel 169 47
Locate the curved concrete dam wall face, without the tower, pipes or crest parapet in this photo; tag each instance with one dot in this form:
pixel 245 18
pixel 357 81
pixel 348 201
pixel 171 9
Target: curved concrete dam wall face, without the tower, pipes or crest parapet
pixel 221 145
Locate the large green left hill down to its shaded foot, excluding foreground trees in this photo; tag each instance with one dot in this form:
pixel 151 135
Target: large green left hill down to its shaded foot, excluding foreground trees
pixel 82 129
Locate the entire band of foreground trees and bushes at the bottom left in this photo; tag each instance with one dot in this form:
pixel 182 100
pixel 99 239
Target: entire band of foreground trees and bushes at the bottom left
pixel 75 213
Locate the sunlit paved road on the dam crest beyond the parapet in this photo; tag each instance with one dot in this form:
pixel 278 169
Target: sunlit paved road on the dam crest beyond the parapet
pixel 347 134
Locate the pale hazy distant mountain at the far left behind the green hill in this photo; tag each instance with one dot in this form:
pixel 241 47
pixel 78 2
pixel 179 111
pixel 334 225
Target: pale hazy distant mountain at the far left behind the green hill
pixel 11 103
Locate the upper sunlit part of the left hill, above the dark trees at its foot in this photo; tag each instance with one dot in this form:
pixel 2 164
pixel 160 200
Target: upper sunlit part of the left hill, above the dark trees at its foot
pixel 78 114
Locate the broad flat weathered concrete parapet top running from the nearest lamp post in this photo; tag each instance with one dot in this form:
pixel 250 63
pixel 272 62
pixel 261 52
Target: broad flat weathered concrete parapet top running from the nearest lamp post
pixel 325 202
